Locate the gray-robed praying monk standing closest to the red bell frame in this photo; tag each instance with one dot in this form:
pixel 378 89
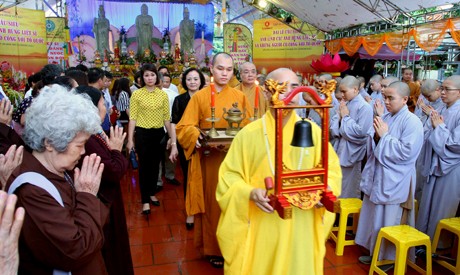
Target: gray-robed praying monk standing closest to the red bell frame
pixel 351 128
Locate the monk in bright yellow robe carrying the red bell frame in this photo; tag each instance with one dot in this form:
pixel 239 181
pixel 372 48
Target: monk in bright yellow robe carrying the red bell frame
pixel 252 237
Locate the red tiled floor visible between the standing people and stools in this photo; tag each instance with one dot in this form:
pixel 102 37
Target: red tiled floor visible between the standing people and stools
pixel 160 244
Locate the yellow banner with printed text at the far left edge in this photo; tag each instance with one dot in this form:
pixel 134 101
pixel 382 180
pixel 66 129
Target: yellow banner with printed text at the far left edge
pixel 23 39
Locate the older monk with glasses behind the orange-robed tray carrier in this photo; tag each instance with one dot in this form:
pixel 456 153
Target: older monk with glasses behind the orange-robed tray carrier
pixel 248 74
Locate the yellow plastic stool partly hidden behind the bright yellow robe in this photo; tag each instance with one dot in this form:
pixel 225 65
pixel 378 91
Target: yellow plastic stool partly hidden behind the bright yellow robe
pixel 347 207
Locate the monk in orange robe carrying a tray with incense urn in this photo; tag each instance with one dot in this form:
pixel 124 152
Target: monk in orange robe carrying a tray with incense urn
pixel 202 176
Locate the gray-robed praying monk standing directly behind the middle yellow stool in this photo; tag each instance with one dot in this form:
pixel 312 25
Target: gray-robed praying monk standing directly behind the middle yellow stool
pixel 388 180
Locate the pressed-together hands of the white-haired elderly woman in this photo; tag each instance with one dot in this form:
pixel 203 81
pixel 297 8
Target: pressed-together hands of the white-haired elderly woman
pixel 88 178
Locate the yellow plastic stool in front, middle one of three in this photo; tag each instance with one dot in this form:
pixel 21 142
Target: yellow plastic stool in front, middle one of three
pixel 403 237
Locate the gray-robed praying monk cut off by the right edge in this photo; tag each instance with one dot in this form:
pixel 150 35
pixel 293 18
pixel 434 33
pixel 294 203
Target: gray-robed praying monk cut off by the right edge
pixel 441 193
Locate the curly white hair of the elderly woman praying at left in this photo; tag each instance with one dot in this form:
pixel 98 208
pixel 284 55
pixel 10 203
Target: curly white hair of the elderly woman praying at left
pixel 57 116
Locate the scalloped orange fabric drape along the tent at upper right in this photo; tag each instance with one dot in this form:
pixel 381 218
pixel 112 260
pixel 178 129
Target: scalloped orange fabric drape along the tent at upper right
pixel 427 36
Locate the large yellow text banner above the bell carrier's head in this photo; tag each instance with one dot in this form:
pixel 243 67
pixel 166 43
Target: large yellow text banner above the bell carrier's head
pixel 278 45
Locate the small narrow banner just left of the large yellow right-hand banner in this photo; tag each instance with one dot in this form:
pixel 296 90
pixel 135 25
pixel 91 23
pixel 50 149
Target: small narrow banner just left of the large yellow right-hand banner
pixel 238 42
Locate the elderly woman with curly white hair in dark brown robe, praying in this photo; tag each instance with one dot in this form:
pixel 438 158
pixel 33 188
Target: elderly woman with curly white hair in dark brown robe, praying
pixel 63 225
